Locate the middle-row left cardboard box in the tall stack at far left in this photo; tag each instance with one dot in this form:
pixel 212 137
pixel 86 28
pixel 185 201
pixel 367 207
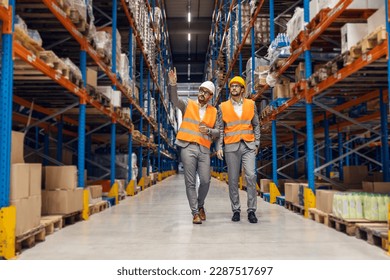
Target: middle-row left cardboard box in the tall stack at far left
pixel 20 181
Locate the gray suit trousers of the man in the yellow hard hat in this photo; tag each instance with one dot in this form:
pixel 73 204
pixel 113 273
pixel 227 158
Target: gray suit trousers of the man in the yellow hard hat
pixel 233 159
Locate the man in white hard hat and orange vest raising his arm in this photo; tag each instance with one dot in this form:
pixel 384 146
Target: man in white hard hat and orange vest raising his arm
pixel 195 136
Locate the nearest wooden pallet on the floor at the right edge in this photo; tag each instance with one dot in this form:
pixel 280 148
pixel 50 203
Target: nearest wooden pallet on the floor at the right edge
pixel 374 233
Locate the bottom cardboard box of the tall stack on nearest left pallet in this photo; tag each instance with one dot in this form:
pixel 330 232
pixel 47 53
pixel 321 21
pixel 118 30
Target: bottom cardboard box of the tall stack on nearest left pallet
pixel 28 213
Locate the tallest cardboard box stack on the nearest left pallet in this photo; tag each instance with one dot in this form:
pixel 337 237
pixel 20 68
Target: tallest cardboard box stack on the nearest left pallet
pixel 25 189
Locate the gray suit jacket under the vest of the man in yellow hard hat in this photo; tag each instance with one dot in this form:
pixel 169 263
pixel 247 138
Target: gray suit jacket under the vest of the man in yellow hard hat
pixel 234 147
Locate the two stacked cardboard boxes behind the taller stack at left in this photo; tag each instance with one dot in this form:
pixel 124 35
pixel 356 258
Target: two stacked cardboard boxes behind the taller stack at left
pixel 61 195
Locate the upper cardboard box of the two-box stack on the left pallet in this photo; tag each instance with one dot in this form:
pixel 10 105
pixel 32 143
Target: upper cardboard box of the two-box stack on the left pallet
pixel 60 177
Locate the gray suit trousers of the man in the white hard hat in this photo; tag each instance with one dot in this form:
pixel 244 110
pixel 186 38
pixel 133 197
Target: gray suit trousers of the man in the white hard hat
pixel 195 161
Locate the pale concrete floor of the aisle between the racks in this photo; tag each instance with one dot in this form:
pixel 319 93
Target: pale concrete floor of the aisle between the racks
pixel 157 224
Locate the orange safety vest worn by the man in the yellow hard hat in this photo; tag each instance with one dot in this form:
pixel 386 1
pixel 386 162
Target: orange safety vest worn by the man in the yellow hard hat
pixel 237 129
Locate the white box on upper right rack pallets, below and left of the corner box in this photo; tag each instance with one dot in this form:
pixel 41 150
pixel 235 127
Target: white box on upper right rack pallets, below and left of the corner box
pixel 351 33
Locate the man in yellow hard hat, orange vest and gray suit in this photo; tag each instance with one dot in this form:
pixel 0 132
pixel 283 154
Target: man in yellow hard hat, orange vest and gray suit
pixel 239 126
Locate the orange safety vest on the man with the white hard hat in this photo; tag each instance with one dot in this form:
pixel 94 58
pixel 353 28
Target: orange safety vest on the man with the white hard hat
pixel 189 129
